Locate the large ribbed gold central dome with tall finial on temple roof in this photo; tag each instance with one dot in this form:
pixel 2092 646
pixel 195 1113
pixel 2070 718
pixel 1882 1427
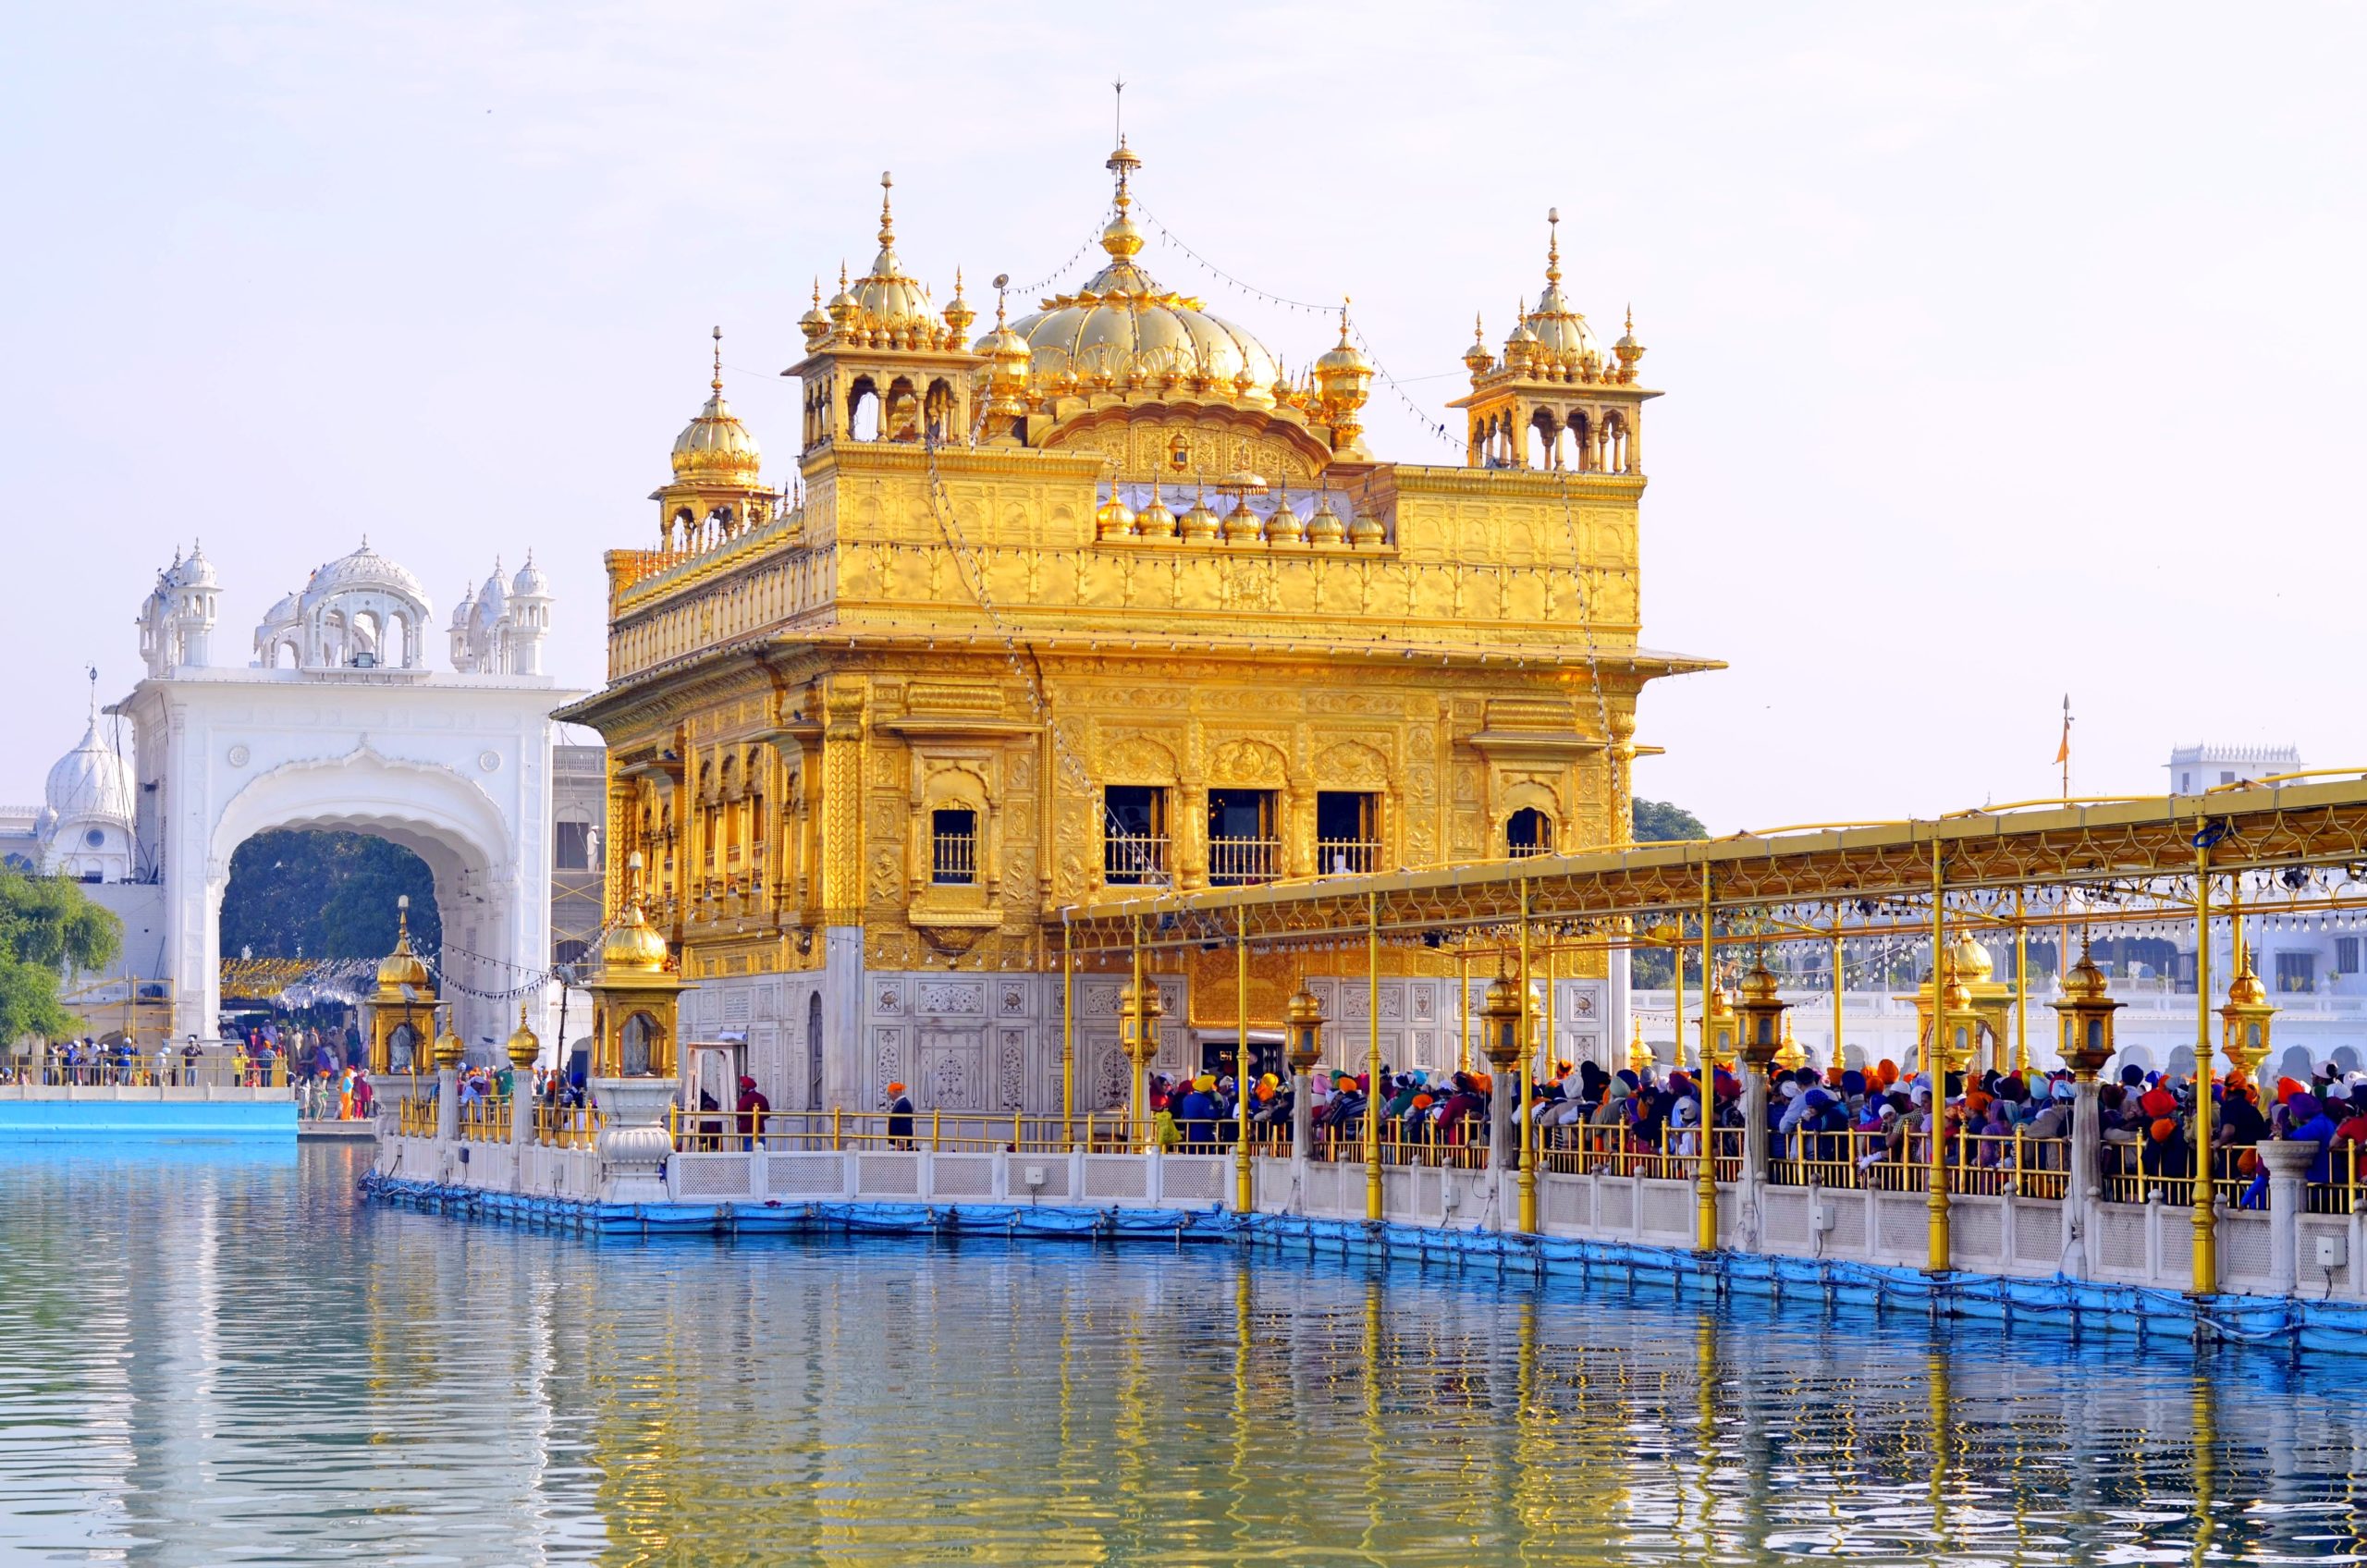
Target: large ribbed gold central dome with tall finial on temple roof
pixel 1126 330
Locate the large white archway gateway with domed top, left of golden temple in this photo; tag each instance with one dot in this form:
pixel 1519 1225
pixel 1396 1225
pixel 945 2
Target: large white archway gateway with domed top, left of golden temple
pixel 359 735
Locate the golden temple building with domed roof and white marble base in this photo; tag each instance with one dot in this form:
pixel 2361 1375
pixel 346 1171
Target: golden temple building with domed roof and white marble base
pixel 1107 598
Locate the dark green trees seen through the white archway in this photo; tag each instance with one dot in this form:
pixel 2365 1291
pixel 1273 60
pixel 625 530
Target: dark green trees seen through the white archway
pixel 325 897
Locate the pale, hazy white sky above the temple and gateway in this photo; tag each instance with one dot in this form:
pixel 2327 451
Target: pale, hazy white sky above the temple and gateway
pixel 2011 352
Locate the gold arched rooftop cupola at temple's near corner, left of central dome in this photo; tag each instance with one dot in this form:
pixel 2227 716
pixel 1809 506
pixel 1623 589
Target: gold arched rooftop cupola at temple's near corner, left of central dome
pixel 882 361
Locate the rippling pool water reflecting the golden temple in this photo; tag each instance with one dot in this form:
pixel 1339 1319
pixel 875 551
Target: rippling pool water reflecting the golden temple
pixel 214 1361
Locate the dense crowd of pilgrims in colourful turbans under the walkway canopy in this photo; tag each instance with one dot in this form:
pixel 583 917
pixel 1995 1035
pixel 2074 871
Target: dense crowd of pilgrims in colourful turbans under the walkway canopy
pixel 1833 1114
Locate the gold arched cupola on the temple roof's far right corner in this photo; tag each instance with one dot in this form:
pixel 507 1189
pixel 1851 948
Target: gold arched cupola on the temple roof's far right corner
pixel 1556 399
